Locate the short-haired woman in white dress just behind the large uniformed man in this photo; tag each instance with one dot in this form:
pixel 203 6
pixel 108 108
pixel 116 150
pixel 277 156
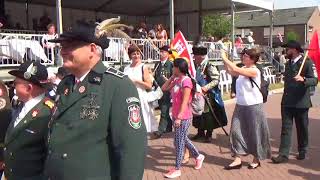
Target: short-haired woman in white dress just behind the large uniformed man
pixel 140 76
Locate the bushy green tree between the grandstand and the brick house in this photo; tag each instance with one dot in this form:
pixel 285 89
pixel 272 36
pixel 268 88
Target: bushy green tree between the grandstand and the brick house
pixel 216 25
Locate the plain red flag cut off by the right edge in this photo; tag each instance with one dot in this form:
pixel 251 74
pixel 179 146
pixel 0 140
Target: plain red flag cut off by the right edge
pixel 314 52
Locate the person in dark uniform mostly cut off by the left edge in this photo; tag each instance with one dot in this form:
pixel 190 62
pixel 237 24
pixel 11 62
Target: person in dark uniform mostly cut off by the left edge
pixel 5 118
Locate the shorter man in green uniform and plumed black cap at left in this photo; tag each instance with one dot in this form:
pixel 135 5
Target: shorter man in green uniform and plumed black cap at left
pixel 25 142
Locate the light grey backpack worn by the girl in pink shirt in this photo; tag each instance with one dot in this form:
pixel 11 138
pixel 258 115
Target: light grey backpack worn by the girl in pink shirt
pixel 197 103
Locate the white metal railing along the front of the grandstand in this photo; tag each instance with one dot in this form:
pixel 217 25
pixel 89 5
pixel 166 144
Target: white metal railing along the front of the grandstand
pixel 16 48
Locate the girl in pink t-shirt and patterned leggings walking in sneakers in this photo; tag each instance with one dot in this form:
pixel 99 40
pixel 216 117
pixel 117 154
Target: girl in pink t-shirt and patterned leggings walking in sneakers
pixel 182 88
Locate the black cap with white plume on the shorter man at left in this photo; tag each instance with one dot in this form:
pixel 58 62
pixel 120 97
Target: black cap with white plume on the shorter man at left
pixel 33 72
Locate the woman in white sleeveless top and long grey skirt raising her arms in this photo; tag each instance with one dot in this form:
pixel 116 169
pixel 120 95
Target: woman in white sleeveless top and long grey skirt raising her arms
pixel 249 133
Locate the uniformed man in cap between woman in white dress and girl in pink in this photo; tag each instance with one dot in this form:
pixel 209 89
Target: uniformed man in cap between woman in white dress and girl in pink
pixel 162 72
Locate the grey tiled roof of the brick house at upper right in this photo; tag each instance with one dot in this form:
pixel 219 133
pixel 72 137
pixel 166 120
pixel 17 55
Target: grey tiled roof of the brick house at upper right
pixel 281 17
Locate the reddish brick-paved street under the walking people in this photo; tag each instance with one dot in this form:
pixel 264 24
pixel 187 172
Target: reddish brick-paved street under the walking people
pixel 161 153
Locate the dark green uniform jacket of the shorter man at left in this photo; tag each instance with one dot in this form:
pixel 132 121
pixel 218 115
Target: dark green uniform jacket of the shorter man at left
pixel 25 145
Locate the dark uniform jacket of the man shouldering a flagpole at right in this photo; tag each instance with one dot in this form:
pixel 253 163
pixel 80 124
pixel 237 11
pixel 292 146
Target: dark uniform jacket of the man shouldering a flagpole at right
pixel 297 94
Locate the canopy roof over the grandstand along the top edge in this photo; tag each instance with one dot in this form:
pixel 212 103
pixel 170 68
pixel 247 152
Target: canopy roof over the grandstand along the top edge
pixel 154 7
